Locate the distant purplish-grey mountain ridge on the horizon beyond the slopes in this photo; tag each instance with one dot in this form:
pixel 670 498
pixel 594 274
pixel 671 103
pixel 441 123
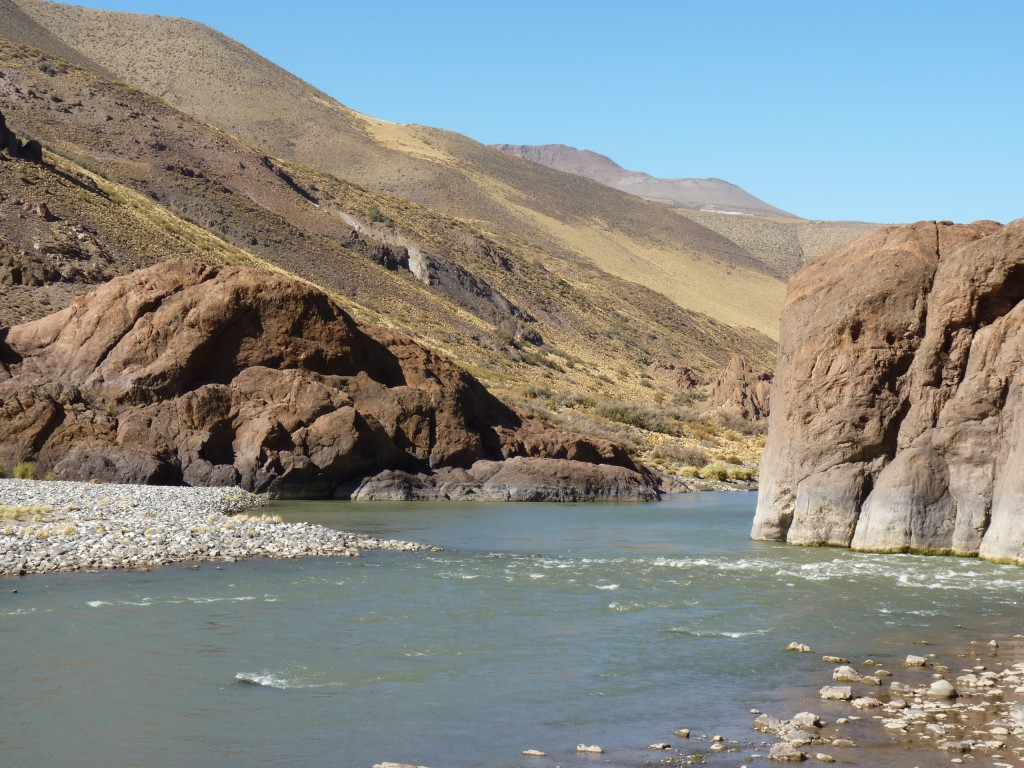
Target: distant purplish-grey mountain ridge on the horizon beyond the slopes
pixel 696 194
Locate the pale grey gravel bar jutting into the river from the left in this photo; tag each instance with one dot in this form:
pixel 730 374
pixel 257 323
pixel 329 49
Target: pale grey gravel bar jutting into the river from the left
pixel 56 526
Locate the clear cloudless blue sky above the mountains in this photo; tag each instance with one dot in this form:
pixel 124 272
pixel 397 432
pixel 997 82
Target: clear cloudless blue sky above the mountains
pixel 871 111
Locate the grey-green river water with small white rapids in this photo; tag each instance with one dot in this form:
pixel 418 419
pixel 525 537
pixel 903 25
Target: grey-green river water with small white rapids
pixel 540 627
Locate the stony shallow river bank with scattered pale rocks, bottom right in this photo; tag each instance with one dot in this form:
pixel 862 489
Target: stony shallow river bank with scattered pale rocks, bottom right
pixel 940 704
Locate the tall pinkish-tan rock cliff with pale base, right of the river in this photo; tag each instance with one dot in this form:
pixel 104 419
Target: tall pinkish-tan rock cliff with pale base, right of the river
pixel 898 416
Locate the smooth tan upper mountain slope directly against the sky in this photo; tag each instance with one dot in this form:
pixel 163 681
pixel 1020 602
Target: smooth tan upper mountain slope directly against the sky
pixel 562 217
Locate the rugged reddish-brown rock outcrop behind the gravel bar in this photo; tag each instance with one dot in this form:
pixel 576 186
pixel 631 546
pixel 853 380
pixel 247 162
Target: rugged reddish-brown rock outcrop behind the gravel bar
pixel 184 373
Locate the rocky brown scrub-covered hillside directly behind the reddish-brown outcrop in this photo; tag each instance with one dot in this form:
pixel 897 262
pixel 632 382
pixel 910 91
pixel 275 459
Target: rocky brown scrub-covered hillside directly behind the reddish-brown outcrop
pixel 131 182
